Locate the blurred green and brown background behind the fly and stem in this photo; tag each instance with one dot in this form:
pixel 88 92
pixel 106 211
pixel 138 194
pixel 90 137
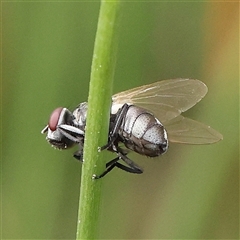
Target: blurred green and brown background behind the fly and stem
pixel 190 193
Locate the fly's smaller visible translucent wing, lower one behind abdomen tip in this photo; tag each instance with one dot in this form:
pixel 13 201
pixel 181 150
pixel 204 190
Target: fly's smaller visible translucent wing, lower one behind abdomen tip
pixel 188 131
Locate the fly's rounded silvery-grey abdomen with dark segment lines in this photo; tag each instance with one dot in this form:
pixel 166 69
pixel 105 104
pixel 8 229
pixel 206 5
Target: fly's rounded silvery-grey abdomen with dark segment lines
pixel 143 133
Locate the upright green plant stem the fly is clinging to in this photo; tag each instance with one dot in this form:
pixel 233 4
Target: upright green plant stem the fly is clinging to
pixel 99 103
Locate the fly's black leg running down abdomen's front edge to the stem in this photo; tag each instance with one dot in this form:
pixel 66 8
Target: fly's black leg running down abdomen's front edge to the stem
pixel 113 135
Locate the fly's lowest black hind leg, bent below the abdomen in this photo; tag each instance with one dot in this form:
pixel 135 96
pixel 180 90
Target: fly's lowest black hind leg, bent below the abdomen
pixel 131 168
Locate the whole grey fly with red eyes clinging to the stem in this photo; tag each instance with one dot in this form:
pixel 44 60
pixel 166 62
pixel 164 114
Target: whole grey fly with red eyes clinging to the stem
pixel 143 119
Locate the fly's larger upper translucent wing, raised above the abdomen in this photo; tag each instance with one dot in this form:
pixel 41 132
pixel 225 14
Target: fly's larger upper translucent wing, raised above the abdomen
pixel 166 99
